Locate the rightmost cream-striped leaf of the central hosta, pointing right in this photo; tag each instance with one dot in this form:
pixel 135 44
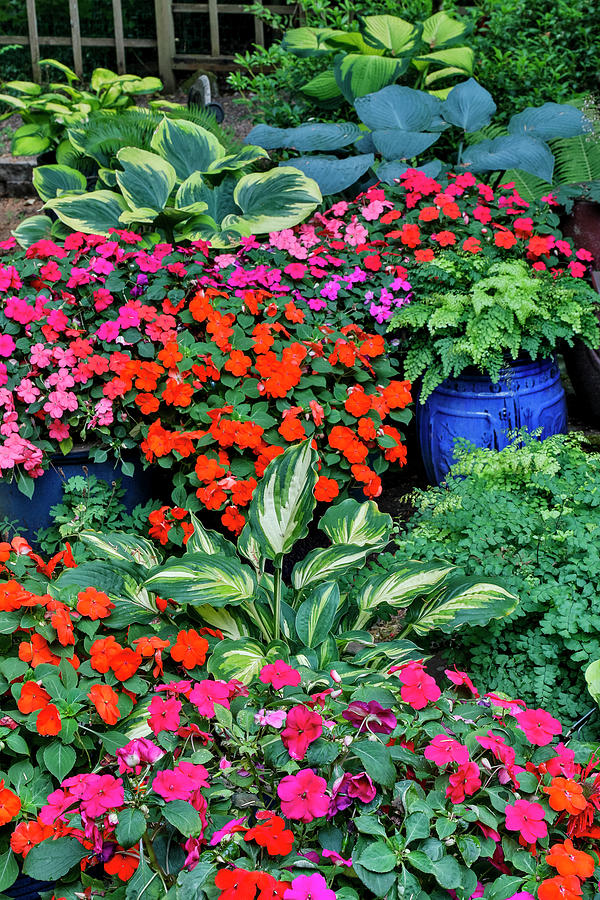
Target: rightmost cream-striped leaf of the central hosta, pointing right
pixel 463 601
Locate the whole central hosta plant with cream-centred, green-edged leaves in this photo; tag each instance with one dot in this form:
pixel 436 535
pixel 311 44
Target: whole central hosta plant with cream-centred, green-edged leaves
pixel 307 618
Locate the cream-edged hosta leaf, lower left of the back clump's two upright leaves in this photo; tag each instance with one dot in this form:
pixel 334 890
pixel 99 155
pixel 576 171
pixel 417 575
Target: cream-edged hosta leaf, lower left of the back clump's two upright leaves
pixel 146 180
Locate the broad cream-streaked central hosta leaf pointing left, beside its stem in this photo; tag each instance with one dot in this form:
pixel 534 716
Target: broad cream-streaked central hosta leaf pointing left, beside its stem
pixel 199 579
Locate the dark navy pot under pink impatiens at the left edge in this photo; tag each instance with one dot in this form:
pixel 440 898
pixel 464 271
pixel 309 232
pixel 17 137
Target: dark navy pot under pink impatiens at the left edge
pixel 34 513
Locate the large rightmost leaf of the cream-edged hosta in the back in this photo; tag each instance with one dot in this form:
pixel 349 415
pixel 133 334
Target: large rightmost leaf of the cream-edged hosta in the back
pixel 274 200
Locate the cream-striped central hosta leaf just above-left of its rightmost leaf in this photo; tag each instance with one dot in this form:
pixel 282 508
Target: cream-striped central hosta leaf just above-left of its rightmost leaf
pixel 411 580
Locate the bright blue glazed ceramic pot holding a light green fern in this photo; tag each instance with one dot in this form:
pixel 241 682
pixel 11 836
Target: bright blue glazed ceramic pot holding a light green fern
pixel 529 395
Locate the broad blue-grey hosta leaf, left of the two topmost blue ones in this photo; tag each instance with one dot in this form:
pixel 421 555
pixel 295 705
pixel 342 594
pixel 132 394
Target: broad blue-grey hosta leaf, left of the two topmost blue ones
pixel 397 107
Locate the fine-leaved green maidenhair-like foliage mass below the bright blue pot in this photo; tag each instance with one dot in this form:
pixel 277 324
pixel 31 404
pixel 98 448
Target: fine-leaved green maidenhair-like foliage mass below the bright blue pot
pixel 529 515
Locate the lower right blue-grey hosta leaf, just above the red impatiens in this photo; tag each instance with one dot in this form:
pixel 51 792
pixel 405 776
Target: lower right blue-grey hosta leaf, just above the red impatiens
pixel 511 152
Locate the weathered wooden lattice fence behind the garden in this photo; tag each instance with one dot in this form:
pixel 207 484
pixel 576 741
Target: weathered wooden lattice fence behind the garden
pixel 166 11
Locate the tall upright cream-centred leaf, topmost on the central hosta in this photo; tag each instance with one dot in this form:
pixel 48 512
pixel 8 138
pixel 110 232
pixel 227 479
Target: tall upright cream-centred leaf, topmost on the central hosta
pixel 284 501
